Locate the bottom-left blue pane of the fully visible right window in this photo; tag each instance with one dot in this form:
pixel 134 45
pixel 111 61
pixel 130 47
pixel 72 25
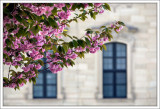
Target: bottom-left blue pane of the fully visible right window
pixel 108 91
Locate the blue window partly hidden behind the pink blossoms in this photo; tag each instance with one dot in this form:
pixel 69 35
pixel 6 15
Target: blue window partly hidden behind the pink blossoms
pixel 46 84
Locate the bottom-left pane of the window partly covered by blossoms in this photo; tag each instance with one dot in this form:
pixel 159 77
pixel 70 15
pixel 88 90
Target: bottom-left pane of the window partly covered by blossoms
pixel 38 91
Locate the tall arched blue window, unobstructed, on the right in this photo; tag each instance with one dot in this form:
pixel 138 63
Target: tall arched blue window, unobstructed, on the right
pixel 114 71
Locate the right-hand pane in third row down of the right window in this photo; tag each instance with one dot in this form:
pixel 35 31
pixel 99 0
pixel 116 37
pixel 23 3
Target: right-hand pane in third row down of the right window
pixel 120 78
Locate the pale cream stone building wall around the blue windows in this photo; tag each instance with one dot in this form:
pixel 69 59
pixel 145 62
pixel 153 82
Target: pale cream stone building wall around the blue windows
pixel 83 83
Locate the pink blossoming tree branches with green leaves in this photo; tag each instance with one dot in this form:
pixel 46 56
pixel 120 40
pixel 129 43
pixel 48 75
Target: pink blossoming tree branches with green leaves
pixel 32 29
